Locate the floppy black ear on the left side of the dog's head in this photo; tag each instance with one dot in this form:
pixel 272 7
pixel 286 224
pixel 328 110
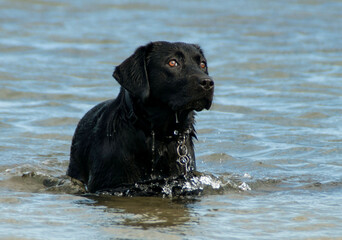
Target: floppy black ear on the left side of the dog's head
pixel 132 74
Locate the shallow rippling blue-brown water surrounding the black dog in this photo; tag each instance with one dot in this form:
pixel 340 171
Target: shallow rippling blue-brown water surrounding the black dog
pixel 272 141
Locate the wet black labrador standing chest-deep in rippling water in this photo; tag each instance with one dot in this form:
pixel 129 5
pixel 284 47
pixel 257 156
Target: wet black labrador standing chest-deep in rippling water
pixel 145 133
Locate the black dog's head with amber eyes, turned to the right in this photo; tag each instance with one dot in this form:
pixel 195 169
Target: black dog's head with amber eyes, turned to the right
pixel 175 74
